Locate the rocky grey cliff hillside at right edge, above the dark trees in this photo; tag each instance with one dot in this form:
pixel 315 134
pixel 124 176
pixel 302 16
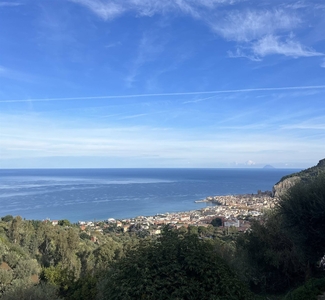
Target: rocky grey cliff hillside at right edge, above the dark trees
pixel 288 181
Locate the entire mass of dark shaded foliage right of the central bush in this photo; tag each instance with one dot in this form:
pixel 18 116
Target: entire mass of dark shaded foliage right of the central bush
pixel 285 248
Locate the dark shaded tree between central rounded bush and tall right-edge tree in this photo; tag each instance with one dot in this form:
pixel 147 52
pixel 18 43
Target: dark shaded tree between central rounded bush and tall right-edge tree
pixel 266 257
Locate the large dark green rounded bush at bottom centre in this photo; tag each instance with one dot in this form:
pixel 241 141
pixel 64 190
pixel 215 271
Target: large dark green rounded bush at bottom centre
pixel 172 267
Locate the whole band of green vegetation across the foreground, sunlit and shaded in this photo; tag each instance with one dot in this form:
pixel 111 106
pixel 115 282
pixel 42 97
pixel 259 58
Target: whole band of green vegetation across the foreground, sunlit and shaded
pixel 278 257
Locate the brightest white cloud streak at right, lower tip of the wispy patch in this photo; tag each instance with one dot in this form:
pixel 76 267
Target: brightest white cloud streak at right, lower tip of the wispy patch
pixel 270 44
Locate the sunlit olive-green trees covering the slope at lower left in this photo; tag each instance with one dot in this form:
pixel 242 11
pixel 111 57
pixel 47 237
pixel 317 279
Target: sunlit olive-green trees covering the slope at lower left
pixel 33 252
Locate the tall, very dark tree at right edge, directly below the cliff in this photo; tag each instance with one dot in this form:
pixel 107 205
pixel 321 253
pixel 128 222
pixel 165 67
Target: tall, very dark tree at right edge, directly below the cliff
pixel 302 210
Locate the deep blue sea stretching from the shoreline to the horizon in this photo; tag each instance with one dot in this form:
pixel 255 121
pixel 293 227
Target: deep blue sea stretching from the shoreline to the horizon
pixel 99 194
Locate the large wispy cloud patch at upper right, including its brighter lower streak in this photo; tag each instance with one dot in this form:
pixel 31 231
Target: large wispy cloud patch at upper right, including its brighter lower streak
pixel 260 33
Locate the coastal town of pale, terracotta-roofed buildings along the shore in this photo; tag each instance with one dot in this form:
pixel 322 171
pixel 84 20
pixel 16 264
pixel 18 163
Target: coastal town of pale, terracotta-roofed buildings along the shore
pixel 233 211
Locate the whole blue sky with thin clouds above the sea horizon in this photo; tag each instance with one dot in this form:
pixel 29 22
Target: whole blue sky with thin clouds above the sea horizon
pixel 162 83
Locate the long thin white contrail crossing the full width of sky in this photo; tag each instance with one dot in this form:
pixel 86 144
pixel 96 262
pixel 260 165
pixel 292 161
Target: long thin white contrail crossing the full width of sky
pixel 170 94
